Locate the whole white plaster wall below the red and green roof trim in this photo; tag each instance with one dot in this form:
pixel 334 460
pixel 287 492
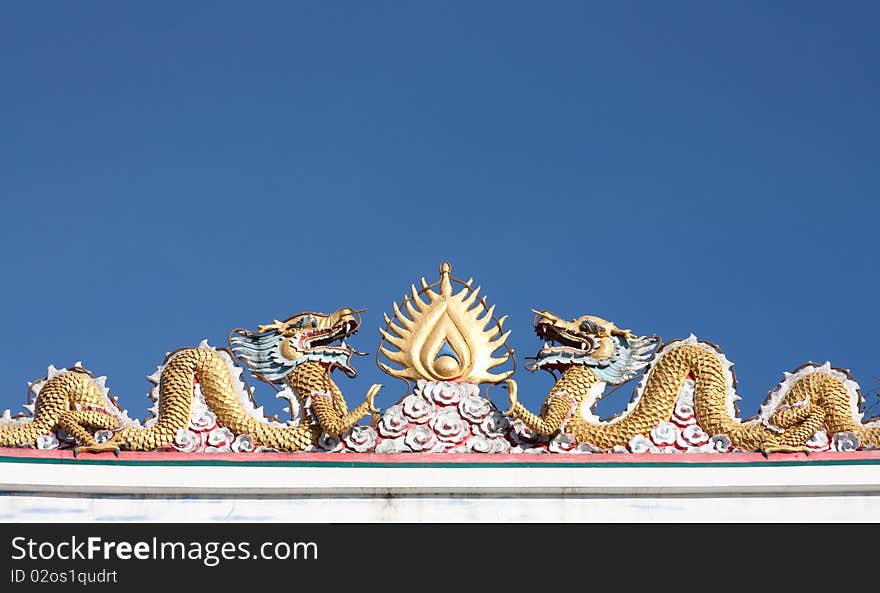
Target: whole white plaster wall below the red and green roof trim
pixel 49 492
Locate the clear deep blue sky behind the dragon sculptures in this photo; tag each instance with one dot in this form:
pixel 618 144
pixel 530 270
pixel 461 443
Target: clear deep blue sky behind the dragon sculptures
pixel 169 171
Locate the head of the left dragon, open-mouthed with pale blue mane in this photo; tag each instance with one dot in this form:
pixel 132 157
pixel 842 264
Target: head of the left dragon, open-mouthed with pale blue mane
pixel 277 348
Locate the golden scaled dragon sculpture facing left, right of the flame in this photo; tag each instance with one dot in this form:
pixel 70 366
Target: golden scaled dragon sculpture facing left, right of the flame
pixel 591 353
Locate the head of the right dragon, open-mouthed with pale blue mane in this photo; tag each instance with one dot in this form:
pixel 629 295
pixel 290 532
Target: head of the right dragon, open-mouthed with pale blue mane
pixel 615 355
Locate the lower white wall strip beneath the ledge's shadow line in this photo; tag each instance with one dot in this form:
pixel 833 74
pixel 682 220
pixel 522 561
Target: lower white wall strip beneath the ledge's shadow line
pixel 439 509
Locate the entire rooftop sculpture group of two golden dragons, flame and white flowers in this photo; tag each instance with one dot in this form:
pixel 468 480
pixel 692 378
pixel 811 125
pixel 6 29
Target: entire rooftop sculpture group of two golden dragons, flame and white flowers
pixel 445 341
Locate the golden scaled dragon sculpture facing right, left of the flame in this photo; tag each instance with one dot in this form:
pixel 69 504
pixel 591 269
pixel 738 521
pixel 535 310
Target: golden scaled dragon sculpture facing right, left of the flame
pixel 300 352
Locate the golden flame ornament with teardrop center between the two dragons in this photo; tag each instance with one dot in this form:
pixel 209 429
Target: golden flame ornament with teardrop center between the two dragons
pixel 445 336
